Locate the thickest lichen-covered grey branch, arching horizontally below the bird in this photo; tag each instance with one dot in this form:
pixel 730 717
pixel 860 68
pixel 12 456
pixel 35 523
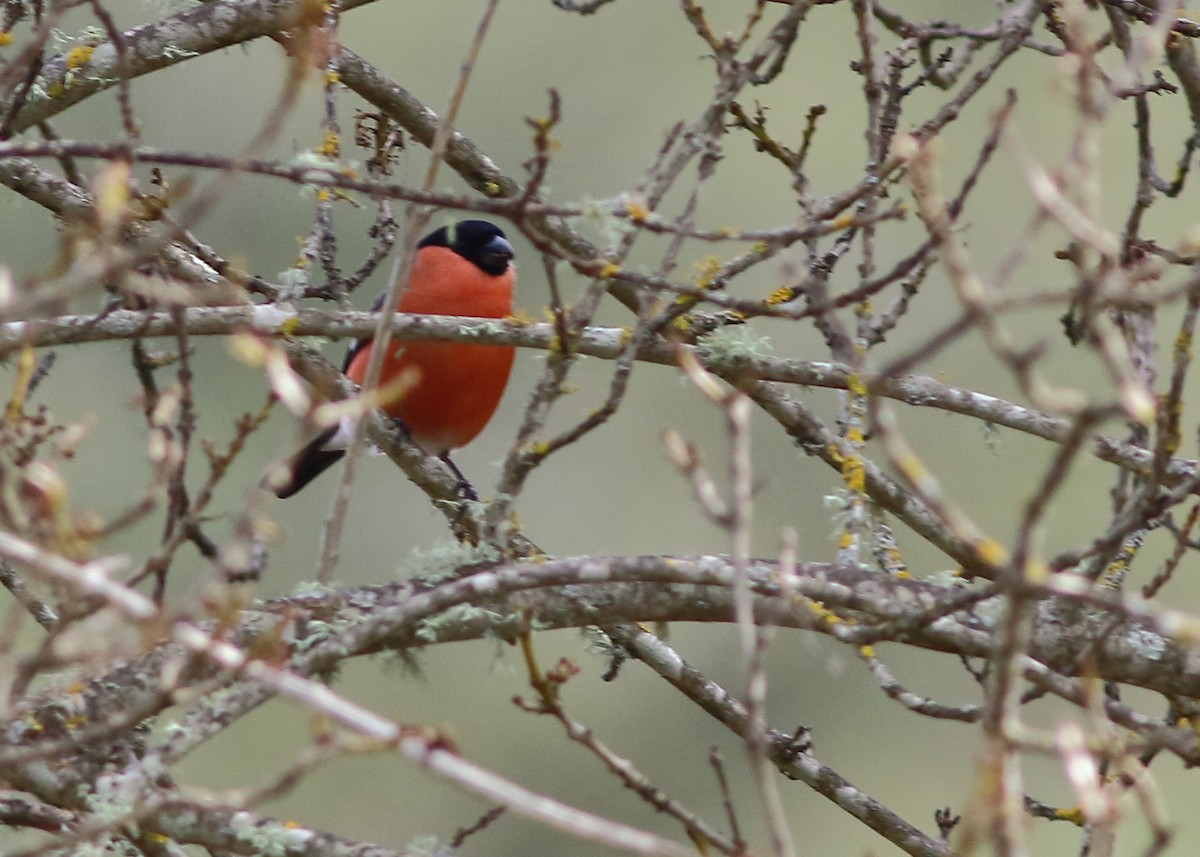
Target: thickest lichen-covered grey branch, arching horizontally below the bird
pixel 585 591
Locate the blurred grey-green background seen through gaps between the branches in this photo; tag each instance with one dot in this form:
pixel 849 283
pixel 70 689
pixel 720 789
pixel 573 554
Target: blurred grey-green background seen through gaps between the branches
pixel 626 76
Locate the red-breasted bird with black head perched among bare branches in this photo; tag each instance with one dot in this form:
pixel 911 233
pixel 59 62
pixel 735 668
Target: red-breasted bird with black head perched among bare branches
pixel 464 269
